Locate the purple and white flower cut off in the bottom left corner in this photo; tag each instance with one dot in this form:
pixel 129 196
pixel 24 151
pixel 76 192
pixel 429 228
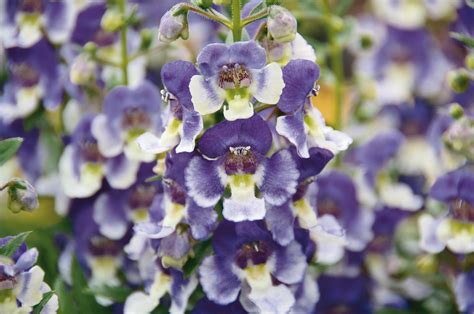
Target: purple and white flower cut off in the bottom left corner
pixel 21 281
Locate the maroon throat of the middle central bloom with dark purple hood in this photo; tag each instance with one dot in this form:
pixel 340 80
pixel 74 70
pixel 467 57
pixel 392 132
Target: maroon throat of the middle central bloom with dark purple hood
pixel 240 160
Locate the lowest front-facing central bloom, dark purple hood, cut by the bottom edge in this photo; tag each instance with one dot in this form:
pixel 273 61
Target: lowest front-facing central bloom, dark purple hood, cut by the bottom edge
pixel 248 262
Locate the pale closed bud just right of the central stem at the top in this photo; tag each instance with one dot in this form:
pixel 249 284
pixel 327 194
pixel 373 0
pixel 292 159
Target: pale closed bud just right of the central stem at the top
pixel 281 24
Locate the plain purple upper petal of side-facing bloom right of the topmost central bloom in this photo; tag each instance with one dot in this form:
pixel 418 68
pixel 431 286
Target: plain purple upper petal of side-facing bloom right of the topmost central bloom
pixel 299 77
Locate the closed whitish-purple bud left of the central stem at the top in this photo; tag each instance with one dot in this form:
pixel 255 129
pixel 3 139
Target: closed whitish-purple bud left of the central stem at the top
pixel 174 26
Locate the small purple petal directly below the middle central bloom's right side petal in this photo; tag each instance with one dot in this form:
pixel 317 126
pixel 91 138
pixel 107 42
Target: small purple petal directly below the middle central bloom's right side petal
pixel 280 221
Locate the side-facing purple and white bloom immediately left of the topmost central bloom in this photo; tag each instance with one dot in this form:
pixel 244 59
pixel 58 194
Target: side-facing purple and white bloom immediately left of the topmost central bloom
pixel 183 123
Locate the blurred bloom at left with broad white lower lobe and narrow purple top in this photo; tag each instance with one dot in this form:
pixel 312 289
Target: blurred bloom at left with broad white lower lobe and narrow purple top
pixel 82 166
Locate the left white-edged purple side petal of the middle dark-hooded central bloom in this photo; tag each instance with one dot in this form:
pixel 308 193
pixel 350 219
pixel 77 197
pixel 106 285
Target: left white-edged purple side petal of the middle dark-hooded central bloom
pixel 204 182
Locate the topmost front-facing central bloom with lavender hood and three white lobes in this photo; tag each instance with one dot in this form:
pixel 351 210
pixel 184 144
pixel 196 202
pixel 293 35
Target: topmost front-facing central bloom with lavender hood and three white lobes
pixel 235 74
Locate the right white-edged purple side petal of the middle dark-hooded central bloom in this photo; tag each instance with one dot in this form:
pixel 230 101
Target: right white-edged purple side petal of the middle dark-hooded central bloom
pixel 280 178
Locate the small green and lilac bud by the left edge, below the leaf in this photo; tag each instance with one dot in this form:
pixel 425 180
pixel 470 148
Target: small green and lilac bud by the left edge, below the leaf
pixel 22 196
